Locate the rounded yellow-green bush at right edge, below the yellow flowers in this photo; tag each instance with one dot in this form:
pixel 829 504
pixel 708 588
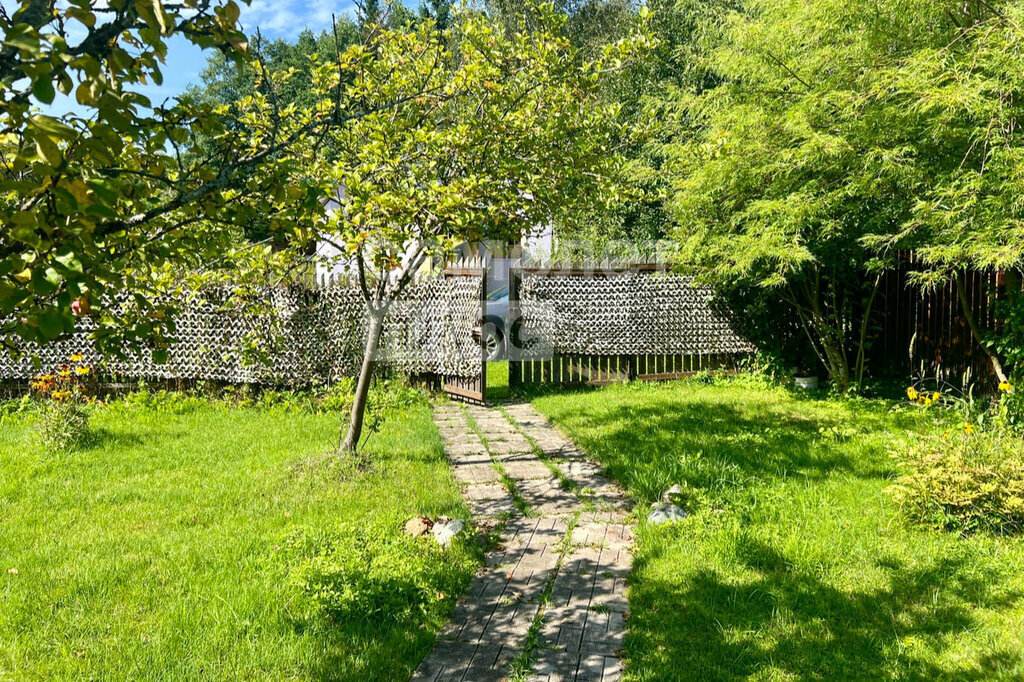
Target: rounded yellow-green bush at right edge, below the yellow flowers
pixel 966 483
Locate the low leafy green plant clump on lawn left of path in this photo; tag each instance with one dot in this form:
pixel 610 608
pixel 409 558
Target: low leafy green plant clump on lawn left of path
pixel 375 574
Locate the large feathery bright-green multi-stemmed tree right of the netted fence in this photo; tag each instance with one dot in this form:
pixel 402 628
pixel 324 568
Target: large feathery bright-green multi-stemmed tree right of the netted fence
pixel 838 132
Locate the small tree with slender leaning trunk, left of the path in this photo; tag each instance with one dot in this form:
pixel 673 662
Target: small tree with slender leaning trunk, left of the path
pixel 495 133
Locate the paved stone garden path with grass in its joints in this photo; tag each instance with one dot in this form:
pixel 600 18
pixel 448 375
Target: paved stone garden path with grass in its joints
pixel 550 605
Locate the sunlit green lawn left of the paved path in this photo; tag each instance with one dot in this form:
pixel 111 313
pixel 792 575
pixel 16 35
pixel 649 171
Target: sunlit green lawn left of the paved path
pixel 158 552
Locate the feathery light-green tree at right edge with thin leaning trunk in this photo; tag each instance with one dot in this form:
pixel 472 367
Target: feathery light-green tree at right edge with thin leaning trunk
pixel 963 102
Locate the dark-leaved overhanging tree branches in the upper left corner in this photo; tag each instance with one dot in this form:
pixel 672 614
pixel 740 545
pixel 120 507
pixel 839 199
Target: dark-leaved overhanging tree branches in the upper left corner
pixel 130 197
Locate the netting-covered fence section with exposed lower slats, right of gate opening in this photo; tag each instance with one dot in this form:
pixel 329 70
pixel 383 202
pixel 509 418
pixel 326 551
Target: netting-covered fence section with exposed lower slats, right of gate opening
pixel 608 324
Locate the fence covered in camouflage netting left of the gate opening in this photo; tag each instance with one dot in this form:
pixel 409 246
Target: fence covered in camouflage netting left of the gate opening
pixel 293 335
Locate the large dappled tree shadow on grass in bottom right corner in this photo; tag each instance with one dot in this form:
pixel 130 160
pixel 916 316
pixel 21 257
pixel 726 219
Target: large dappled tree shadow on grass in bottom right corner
pixel 710 628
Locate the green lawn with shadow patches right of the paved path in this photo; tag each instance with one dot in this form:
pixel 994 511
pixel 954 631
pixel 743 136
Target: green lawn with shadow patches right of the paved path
pixel 794 564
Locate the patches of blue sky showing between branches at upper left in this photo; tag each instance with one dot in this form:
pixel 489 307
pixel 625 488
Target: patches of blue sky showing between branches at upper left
pixel 276 19
